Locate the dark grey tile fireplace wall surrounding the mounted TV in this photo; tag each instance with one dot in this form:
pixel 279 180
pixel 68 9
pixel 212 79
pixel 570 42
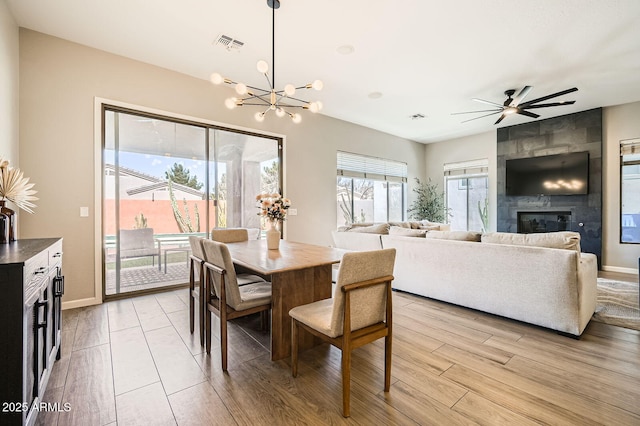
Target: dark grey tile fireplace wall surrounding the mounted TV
pixel 569 133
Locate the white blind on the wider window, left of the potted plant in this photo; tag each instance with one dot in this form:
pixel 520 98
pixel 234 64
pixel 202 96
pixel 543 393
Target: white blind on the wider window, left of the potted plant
pixel 363 166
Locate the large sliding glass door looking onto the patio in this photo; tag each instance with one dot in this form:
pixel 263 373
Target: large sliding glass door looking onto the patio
pixel 166 179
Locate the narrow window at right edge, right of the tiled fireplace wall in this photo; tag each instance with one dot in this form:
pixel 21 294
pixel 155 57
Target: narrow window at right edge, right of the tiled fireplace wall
pixel 630 191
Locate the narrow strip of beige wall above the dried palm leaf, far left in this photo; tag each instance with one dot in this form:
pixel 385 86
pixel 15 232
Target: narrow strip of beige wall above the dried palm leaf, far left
pixel 9 84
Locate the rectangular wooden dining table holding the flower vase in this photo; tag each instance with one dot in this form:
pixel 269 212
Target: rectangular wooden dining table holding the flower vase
pixel 299 273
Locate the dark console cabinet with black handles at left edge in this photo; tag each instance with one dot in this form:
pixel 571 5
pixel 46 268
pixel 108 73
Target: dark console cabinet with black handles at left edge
pixel 31 288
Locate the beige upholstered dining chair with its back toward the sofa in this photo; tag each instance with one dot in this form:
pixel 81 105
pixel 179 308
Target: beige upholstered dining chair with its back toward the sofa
pixel 360 312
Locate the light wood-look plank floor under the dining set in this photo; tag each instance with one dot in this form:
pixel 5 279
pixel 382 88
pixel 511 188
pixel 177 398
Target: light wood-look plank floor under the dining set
pixel 134 362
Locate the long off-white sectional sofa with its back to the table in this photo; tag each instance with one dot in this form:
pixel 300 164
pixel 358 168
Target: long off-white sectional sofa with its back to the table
pixel 541 279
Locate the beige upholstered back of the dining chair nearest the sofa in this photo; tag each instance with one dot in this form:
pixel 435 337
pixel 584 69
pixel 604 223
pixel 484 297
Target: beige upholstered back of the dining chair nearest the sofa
pixel 368 305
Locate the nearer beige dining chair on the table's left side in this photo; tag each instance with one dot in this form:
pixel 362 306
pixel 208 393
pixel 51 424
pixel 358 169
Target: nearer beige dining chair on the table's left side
pixel 228 300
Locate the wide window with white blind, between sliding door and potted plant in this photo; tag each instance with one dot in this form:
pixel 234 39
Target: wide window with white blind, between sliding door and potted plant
pixel 370 189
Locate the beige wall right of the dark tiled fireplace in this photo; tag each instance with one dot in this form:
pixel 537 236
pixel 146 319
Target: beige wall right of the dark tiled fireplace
pixel 618 123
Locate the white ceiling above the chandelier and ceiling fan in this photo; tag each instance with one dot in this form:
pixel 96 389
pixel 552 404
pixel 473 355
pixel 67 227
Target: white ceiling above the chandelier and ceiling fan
pixel 425 56
